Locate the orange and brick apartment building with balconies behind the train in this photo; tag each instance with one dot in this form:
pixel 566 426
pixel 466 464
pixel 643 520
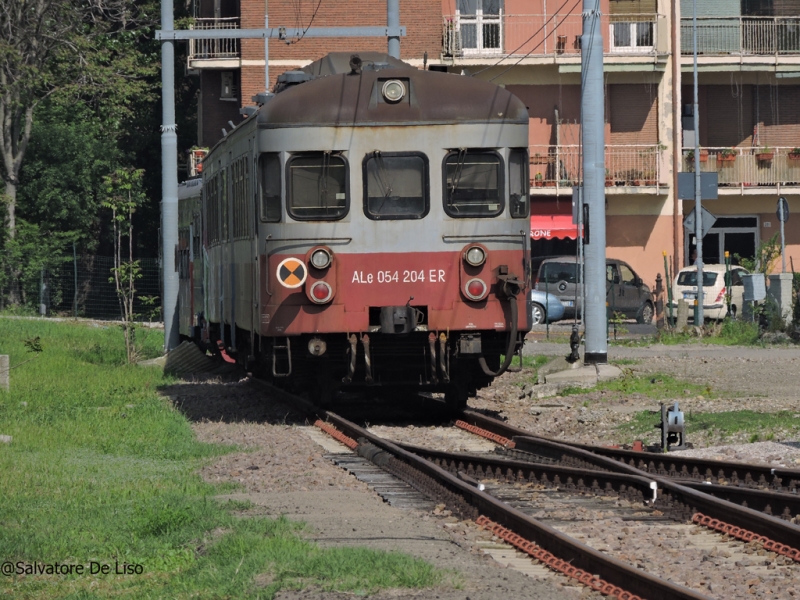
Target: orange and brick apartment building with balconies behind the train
pixel 749 64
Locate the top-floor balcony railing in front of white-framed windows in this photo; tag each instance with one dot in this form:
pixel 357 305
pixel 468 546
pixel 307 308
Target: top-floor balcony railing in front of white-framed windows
pixel 544 35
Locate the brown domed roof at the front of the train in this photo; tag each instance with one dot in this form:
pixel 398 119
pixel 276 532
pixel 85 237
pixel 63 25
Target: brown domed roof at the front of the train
pixel 354 98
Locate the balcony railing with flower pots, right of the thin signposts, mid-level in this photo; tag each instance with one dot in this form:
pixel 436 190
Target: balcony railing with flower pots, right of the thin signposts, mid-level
pixel 748 167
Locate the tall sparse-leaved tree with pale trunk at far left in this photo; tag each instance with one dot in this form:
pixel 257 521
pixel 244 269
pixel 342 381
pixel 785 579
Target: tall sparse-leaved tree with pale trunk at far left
pixel 68 47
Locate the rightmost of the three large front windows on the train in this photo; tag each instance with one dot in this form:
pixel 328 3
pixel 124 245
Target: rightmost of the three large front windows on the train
pixel 473 183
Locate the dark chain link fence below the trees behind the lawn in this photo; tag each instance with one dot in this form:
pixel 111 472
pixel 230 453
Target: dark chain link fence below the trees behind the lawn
pixel 80 286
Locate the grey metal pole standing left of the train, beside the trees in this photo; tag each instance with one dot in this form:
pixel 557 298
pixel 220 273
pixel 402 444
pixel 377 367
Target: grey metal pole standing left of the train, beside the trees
pixel 169 182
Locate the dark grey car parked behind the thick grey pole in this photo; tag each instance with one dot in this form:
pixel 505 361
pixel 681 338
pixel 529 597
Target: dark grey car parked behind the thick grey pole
pixel 626 293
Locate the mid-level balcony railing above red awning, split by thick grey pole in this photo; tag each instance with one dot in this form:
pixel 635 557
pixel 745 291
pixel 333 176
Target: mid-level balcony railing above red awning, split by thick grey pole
pixel 560 166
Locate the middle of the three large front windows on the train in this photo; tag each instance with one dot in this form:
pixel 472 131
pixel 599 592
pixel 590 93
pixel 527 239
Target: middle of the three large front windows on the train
pixel 395 185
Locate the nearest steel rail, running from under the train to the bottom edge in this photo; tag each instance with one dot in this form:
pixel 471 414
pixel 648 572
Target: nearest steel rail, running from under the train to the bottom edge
pixel 581 556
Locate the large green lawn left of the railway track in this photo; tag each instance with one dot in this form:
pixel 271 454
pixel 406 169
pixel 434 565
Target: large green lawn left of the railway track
pixel 101 468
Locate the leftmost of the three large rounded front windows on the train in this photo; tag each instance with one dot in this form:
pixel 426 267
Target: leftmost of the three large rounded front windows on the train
pixel 317 186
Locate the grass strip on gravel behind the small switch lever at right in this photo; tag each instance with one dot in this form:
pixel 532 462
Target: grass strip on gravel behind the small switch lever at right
pixel 746 425
